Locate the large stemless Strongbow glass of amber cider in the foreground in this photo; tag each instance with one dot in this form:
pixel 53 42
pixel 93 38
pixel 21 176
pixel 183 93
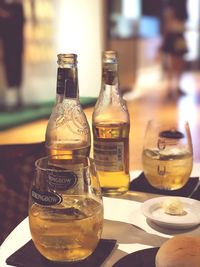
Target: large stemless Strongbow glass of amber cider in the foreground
pixel 65 208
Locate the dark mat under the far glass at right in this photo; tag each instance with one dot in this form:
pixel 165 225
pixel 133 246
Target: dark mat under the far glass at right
pixel 141 184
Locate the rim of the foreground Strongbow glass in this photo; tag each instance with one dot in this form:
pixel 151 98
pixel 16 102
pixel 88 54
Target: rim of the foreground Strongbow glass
pixel 77 166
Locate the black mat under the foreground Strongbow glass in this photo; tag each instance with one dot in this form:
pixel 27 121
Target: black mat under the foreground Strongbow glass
pixel 28 256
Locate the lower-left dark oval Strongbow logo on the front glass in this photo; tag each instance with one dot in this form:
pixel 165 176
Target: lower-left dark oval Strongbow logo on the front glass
pixel 45 198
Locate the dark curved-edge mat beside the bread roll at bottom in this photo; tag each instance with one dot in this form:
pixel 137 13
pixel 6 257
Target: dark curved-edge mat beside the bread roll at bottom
pixel 141 258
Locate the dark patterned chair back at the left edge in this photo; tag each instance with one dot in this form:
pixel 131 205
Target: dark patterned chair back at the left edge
pixel 16 173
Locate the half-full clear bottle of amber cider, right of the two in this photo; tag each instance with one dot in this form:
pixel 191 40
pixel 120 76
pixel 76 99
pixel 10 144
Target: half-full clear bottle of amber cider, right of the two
pixel 111 126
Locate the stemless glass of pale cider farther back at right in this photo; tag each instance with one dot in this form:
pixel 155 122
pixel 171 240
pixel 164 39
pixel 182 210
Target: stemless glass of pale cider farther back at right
pixel 167 154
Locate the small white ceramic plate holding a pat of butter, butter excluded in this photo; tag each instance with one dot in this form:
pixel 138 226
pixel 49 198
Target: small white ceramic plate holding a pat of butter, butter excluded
pixel 152 209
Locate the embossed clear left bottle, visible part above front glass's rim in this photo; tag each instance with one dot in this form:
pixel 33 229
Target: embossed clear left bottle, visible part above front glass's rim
pixel 68 131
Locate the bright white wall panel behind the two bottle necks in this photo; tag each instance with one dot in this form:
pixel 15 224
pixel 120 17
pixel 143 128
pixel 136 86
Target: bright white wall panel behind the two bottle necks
pixel 79 29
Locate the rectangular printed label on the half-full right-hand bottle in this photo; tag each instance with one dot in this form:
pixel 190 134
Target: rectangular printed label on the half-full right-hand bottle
pixel 109 156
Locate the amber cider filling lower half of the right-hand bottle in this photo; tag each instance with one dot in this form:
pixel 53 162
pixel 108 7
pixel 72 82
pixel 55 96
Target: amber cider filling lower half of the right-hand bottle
pixel 111 154
